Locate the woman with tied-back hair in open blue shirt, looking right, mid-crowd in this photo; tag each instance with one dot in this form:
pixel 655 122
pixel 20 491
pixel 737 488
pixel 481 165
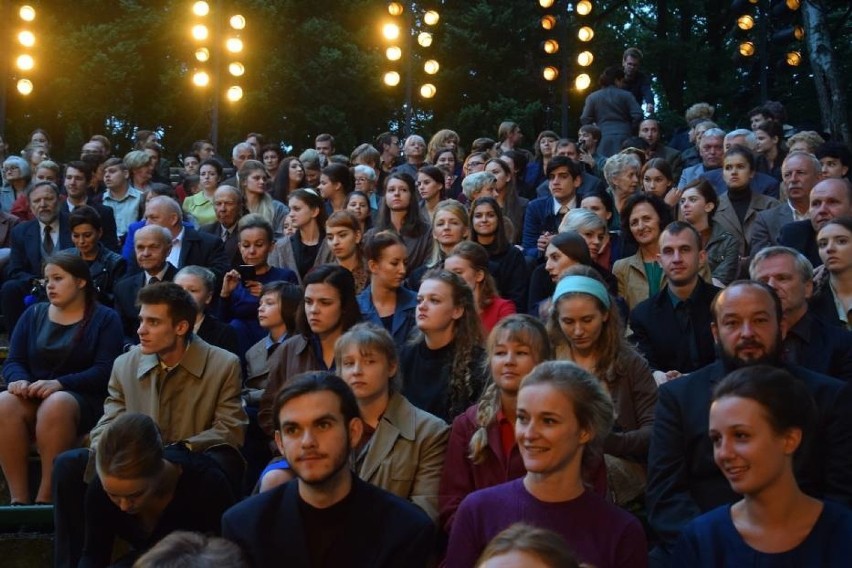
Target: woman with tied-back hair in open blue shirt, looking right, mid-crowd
pixel 386 302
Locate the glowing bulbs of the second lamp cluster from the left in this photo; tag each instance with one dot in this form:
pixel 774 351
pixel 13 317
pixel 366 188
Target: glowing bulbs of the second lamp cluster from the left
pixel 205 43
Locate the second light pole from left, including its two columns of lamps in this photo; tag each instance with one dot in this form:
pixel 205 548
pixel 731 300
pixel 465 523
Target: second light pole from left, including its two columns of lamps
pixel 210 54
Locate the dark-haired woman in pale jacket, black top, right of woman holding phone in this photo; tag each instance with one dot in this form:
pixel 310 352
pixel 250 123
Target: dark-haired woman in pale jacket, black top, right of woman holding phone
pixel 307 246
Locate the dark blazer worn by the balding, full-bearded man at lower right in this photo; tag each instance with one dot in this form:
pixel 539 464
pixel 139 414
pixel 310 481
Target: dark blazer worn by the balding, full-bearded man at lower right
pixel 683 480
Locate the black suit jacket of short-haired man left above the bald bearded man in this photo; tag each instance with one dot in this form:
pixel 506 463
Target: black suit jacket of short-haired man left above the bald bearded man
pixel 656 330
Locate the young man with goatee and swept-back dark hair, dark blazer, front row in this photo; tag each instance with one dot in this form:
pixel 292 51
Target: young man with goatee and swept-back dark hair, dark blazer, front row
pixel 326 516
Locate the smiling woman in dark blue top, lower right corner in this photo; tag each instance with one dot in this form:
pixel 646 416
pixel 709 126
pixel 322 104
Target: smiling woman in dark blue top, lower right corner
pixel 759 420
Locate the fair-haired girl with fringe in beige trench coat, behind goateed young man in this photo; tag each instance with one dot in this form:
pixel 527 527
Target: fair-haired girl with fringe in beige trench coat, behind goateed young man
pixel 402 447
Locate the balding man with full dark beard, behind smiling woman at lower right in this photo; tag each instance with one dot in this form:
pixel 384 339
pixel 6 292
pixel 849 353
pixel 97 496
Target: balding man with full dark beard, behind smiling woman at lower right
pixel 683 480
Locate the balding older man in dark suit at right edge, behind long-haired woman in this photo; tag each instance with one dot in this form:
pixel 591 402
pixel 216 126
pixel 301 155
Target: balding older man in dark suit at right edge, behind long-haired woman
pixel 830 198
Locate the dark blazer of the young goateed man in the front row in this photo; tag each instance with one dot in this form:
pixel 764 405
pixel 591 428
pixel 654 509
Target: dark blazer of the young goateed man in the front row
pixel 382 530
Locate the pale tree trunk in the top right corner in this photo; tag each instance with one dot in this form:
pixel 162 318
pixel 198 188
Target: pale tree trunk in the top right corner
pixel 832 99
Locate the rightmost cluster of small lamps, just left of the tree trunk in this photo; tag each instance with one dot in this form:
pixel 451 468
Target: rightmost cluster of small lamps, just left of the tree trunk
pixel 780 20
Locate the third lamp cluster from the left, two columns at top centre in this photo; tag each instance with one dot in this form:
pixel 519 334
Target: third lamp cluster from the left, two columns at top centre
pixel 419 24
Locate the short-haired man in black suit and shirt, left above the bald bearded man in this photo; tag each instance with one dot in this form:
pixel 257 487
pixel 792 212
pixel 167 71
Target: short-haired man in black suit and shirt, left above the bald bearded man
pixel 672 328
